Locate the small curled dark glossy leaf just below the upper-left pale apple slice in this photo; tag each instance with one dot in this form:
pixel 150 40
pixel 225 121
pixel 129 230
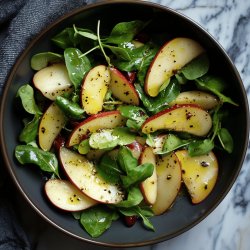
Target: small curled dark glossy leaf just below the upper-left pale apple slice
pixel 70 109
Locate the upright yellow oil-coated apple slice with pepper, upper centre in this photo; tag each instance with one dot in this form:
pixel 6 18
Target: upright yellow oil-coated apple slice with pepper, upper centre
pixel 94 88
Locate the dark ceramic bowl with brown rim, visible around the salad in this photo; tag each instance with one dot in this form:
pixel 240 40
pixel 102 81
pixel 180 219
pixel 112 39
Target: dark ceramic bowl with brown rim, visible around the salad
pixel 183 215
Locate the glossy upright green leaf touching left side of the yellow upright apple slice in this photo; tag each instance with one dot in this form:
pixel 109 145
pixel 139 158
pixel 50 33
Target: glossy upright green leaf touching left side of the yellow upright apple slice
pixel 77 65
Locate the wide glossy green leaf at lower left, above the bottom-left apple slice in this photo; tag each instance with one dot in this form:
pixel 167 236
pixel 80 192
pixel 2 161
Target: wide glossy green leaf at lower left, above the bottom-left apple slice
pixel 47 161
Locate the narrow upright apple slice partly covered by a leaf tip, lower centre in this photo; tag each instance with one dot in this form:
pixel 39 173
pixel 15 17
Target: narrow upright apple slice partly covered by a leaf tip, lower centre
pixel 149 186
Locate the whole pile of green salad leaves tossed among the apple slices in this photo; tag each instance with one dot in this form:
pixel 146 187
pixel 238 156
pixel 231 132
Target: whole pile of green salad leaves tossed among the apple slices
pixel 81 49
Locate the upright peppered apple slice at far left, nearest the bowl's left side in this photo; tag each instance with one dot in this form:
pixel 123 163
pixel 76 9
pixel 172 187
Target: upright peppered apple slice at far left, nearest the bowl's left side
pixel 52 122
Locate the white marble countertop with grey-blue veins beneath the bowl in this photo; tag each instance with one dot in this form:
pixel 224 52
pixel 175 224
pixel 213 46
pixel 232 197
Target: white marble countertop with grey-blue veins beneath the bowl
pixel 228 226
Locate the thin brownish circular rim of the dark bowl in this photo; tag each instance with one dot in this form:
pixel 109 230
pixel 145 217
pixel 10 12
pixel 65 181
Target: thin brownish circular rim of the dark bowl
pixel 43 33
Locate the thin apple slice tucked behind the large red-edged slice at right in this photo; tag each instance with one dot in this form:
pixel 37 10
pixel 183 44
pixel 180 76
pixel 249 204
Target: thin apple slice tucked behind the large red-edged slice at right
pixel 203 99
